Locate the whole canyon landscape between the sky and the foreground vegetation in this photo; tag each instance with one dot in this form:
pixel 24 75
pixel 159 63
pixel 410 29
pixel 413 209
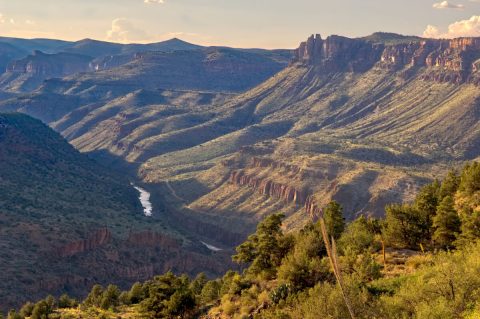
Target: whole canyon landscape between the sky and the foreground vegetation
pixel 221 138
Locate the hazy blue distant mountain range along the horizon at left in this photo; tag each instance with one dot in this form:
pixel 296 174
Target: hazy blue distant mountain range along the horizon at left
pixel 25 64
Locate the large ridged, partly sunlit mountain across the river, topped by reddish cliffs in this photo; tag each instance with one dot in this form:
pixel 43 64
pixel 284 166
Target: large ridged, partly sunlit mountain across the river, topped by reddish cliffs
pixel 364 121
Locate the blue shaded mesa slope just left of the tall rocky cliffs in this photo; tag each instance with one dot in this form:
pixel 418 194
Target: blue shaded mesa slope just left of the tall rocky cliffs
pixel 212 69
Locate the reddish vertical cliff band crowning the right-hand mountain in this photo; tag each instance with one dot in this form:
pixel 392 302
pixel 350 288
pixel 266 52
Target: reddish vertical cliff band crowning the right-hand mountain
pixel 453 60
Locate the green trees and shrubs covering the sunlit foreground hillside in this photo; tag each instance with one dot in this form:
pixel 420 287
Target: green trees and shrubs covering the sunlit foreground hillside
pixel 291 276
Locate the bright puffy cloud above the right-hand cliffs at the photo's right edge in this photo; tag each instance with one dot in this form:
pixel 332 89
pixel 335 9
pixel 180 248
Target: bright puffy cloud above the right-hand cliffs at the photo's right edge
pixel 463 28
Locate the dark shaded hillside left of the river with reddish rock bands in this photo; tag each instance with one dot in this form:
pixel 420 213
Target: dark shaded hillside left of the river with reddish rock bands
pixel 67 221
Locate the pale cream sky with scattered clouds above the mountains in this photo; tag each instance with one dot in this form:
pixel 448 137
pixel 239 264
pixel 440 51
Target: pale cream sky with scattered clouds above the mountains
pixel 237 23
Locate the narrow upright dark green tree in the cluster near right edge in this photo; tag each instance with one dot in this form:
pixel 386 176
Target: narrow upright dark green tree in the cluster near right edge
pixel 446 223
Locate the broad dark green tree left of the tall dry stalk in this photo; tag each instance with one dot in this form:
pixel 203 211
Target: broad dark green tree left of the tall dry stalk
pixel 264 249
